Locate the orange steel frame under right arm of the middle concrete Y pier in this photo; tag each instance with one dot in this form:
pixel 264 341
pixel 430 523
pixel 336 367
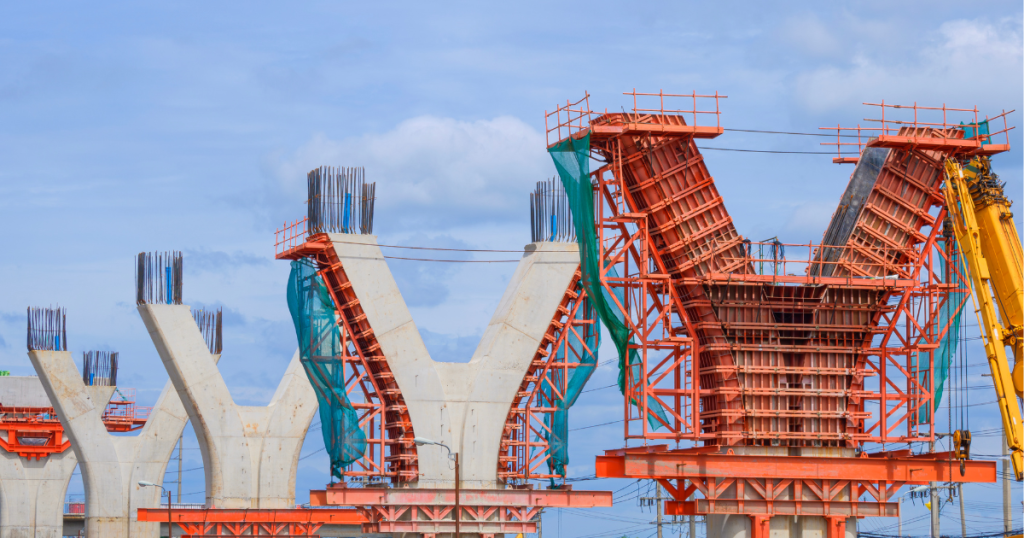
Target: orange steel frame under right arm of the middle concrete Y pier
pixel 524 446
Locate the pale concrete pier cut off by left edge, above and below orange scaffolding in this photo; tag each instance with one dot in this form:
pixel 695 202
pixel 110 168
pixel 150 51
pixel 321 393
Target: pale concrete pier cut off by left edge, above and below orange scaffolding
pixel 32 491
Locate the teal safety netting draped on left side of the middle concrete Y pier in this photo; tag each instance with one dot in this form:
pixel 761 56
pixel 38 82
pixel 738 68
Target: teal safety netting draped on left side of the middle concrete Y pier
pixel 321 354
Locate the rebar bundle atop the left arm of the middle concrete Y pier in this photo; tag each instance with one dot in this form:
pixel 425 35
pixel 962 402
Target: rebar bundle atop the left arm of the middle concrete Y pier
pixel 340 201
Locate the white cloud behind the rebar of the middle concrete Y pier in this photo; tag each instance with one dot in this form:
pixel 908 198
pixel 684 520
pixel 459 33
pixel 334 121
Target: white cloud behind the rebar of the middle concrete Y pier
pixel 437 172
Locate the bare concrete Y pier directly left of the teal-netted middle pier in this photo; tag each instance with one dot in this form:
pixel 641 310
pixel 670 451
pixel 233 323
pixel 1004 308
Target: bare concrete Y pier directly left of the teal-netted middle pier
pixel 250 454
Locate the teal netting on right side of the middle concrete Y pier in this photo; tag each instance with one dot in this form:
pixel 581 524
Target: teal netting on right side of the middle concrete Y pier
pixel 583 349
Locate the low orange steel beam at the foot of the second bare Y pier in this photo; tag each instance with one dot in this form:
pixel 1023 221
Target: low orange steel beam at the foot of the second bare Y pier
pixel 226 522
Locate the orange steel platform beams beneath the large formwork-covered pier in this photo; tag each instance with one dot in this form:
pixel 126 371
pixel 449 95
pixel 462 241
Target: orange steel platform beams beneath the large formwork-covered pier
pixel 764 485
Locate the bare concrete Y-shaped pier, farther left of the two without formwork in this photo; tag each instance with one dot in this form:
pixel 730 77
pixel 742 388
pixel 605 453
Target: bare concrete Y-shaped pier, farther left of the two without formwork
pixel 112 466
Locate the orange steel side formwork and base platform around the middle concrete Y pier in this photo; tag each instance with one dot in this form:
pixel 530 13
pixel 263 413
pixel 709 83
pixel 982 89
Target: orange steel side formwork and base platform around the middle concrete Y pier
pixel 525 449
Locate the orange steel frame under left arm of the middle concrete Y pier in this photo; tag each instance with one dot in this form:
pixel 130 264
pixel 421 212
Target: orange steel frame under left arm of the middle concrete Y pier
pixel 370 384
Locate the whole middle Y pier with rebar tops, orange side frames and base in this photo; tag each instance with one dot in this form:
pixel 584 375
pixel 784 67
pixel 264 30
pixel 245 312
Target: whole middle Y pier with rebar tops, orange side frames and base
pixel 492 411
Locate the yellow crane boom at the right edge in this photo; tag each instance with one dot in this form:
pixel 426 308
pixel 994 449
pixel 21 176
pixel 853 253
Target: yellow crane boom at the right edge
pixel 988 237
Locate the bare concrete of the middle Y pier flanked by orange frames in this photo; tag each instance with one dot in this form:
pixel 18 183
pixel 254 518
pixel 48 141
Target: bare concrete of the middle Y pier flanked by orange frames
pixel 463 405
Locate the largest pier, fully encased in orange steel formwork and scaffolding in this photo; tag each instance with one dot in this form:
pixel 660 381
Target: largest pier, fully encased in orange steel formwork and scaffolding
pixel 784 362
